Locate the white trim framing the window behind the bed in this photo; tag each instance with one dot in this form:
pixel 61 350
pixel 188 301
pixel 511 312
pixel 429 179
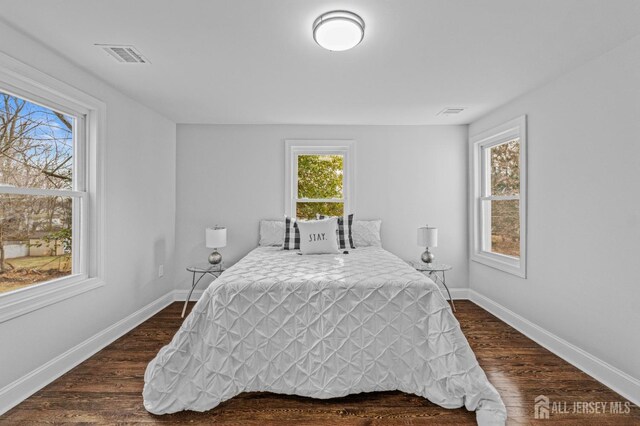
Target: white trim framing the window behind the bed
pixel 295 147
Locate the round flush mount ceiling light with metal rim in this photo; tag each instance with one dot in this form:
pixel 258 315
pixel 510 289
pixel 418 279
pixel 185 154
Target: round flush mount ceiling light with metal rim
pixel 338 30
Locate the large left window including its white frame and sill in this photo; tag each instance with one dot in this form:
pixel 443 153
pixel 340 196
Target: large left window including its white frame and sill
pixel 51 227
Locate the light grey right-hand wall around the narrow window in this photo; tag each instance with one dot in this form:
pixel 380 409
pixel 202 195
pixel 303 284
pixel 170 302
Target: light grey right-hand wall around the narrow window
pixel 584 210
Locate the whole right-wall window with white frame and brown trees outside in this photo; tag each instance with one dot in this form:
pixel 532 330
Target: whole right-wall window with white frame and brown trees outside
pixel 498 206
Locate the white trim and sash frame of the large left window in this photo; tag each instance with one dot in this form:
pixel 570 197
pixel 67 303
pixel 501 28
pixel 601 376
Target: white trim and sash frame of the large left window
pixel 26 82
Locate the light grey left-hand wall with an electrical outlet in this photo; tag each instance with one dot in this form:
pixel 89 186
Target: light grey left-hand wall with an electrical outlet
pixel 140 222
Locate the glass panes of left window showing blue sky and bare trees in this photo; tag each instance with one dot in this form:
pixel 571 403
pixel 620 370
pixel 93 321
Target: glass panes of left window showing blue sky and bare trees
pixel 41 193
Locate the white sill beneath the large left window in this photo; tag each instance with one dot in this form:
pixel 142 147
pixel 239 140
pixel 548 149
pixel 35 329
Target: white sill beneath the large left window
pixel 23 301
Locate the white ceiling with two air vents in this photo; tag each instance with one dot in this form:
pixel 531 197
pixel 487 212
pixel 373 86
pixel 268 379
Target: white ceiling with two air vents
pixel 255 62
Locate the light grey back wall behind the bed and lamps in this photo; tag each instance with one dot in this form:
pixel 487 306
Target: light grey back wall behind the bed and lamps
pixel 405 175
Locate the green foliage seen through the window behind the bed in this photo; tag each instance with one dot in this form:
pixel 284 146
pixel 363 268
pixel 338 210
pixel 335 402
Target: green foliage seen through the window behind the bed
pixel 319 177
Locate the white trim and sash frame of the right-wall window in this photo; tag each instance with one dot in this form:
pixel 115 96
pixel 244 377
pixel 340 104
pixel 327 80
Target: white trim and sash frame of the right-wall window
pixel 516 128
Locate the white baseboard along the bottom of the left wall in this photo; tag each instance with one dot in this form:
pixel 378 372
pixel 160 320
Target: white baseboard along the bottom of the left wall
pixel 19 390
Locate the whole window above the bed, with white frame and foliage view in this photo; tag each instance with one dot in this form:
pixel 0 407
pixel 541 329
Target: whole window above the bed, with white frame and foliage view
pixel 318 175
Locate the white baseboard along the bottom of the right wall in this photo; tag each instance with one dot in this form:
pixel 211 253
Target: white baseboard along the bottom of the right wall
pixel 617 380
